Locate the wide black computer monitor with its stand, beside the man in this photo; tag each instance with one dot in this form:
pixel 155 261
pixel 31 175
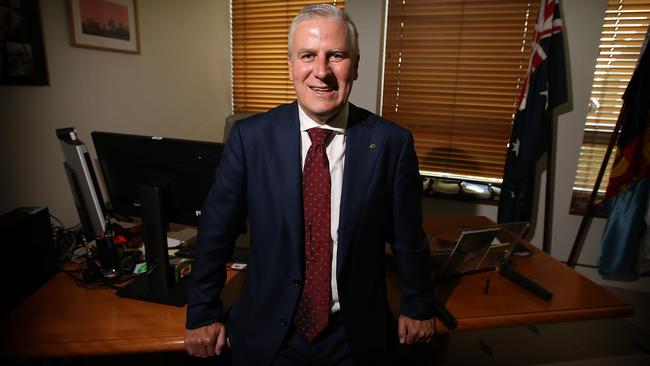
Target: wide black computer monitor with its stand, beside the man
pixel 161 180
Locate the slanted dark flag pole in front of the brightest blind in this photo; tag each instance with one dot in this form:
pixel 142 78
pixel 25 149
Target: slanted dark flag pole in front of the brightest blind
pixel 591 206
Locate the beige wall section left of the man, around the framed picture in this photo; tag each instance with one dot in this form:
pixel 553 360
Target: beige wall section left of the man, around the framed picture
pixel 178 86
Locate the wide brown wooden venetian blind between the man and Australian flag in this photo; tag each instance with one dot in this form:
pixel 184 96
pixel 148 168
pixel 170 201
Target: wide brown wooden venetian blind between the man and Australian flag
pixel 453 72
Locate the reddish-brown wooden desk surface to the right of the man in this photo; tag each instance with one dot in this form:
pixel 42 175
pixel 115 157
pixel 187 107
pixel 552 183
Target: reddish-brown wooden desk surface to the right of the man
pixel 507 304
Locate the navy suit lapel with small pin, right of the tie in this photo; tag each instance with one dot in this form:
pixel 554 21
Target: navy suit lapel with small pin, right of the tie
pixel 362 151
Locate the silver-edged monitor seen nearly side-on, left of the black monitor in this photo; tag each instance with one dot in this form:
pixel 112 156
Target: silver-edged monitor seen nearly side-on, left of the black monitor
pixel 83 183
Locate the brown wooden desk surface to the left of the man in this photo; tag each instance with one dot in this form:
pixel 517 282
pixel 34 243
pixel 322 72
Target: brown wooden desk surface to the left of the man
pixel 62 319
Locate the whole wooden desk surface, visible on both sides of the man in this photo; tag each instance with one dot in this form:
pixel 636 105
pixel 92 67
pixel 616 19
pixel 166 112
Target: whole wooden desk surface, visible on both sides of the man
pixel 62 319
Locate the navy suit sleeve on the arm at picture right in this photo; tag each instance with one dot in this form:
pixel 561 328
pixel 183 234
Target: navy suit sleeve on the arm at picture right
pixel 410 247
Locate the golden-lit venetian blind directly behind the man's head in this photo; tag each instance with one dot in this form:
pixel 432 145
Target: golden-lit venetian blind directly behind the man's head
pixel 259 28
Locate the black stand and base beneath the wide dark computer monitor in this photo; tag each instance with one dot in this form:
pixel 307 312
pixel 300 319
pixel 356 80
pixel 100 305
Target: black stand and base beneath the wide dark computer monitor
pixel 158 284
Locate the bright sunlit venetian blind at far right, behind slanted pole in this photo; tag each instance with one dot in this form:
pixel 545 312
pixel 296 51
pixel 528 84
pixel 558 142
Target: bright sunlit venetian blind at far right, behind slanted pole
pixel 624 30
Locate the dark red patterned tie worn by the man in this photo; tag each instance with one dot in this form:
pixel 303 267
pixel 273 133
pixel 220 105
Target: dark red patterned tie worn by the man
pixel 314 306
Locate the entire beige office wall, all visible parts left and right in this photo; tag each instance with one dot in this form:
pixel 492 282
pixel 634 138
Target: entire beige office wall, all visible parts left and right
pixel 180 86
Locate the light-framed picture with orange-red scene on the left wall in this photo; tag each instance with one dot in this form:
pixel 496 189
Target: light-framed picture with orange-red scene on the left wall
pixel 110 25
